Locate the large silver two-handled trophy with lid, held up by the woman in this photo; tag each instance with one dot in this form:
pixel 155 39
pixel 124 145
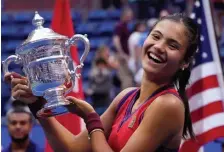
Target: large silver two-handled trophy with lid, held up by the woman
pixel 46 61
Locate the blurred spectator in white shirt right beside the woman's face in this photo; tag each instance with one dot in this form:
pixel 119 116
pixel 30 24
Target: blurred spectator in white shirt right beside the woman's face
pixel 134 62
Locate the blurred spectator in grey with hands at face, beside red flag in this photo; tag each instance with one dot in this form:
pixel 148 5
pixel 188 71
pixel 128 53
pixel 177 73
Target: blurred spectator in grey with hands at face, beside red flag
pixel 100 85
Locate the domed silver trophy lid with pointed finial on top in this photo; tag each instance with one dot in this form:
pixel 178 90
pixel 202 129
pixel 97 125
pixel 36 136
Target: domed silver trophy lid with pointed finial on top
pixel 40 32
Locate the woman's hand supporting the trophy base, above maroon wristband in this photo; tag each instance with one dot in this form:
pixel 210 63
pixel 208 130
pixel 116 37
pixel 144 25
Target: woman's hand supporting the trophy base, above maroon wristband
pixel 79 107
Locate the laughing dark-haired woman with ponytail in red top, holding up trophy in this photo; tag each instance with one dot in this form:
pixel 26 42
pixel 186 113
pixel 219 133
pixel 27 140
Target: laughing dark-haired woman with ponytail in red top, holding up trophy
pixel 153 117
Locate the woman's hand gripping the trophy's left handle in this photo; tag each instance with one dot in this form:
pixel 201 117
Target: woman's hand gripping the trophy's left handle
pixel 20 88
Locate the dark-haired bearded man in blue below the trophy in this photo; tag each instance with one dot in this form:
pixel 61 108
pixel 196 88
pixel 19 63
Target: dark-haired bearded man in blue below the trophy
pixel 19 122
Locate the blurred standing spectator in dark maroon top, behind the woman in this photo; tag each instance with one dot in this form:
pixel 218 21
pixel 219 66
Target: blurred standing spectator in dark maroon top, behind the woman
pixel 120 40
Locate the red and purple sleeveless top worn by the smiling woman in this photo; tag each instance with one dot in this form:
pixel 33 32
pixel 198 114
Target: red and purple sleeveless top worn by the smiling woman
pixel 126 121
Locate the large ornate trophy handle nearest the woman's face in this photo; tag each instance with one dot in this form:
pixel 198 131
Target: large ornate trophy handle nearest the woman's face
pixel 71 42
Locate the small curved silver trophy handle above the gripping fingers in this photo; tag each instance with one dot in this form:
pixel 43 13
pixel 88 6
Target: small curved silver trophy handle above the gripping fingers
pixel 6 62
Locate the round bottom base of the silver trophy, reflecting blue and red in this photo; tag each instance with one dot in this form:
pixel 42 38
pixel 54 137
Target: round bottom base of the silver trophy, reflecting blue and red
pixel 53 109
